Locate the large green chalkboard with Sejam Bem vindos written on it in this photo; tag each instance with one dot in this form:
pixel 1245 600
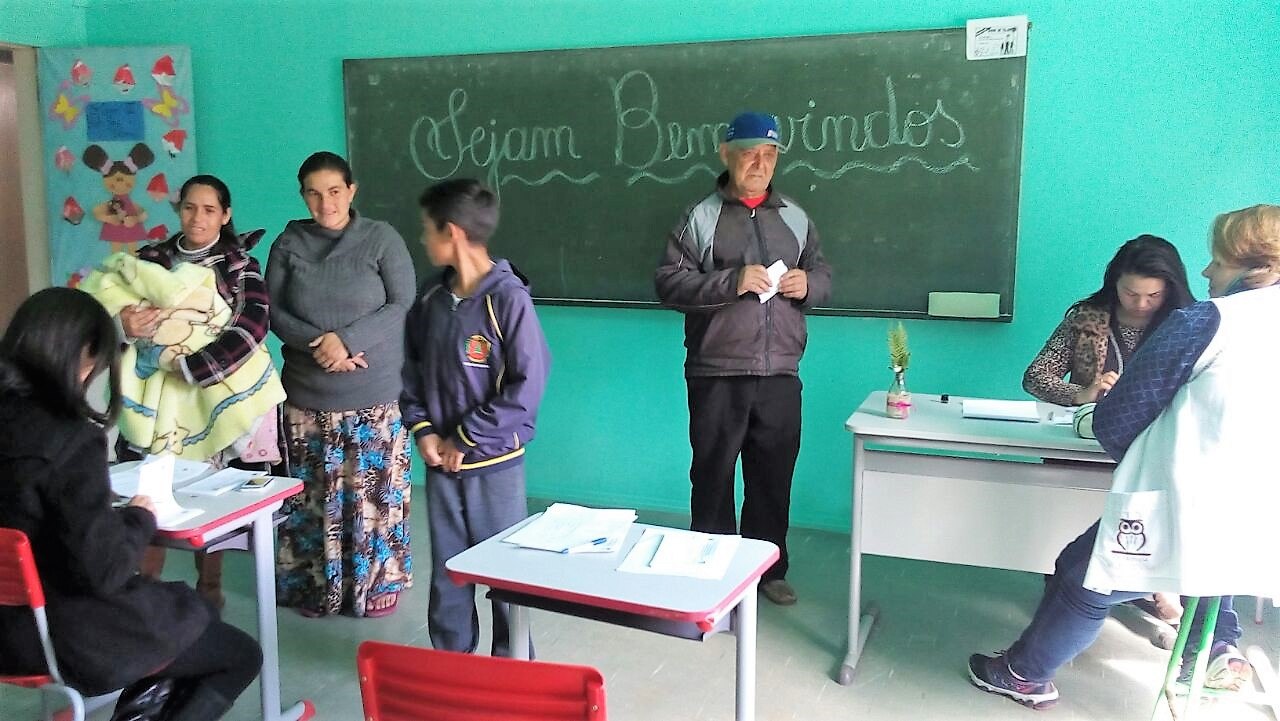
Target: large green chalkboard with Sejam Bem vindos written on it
pixel 906 154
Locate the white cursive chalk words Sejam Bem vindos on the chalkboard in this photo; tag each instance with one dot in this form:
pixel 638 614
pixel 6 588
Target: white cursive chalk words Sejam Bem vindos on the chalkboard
pixel 652 148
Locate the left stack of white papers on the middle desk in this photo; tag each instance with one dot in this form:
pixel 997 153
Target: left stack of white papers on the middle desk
pixel 565 528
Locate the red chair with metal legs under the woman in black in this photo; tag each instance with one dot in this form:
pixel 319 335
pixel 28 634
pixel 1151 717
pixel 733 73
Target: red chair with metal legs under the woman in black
pixel 20 586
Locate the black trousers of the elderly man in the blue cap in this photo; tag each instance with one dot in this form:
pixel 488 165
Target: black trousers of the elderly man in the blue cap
pixel 757 418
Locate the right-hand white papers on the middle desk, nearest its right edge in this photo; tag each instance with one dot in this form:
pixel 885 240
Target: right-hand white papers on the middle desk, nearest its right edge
pixel 675 553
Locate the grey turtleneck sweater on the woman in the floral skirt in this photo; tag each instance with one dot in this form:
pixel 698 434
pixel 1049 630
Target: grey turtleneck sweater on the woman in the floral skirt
pixel 358 282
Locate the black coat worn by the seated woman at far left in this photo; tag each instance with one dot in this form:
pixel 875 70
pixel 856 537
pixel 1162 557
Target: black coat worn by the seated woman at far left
pixel 111 627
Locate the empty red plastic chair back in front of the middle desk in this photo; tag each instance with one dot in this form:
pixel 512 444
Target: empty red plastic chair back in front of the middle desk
pixel 404 683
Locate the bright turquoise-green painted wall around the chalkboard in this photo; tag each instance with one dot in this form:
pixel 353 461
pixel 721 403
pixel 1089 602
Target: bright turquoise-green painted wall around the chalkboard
pixel 1153 133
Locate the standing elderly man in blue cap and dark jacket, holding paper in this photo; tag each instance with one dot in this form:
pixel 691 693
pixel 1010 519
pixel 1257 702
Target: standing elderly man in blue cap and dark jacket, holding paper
pixel 744 266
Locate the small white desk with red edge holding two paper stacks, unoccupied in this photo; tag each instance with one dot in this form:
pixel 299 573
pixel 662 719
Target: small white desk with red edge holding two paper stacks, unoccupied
pixel 589 586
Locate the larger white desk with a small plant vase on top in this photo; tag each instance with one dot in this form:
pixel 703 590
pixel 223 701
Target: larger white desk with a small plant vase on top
pixel 953 508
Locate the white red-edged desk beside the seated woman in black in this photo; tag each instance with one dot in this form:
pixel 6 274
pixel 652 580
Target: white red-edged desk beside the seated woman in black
pixel 243 522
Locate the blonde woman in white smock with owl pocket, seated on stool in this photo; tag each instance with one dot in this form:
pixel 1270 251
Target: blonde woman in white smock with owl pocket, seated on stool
pixel 1191 427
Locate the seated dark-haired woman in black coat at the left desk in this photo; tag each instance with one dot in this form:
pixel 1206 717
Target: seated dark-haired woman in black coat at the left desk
pixel 111 627
